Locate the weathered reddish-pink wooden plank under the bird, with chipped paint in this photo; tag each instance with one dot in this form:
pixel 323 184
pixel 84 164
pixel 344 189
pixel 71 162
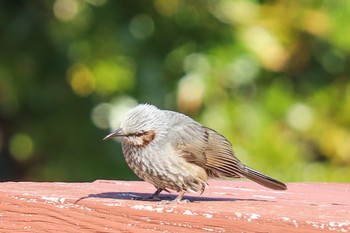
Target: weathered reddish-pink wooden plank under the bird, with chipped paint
pixel 120 206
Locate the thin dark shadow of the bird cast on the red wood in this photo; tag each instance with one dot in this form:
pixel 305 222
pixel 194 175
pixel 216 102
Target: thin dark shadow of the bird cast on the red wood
pixel 163 197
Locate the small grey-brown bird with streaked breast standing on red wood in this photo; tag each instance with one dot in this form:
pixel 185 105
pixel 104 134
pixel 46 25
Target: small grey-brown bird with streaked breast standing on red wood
pixel 172 151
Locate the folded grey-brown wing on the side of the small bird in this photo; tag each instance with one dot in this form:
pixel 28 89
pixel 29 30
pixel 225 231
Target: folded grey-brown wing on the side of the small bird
pixel 203 146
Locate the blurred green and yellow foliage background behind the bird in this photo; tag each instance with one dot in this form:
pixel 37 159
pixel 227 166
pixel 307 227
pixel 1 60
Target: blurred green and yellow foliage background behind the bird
pixel 271 76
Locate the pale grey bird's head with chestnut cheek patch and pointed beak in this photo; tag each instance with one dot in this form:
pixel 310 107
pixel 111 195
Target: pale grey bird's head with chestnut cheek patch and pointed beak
pixel 141 125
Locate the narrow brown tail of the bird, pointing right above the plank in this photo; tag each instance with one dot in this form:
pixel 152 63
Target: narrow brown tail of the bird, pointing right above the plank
pixel 262 179
